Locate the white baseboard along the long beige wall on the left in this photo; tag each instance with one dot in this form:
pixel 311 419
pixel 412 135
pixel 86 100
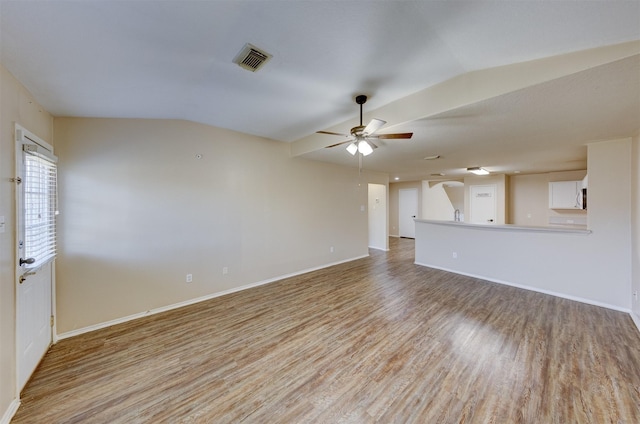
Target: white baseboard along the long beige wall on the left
pixel 116 321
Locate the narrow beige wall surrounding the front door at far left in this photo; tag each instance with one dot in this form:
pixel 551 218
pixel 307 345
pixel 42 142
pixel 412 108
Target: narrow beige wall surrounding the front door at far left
pixel 16 105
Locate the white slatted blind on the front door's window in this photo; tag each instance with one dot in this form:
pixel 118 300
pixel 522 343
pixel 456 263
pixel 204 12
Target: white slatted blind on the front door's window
pixel 40 207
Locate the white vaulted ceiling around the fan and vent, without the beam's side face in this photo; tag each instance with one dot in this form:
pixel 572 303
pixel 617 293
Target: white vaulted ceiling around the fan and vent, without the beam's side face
pixel 173 59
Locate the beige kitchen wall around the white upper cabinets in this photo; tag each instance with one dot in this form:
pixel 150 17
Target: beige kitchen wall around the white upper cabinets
pixel 529 198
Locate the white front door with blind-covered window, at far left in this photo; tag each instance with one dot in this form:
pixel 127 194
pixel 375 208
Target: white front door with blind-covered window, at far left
pixel 35 239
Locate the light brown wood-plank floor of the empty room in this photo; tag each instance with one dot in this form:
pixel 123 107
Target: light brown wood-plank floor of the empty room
pixel 375 340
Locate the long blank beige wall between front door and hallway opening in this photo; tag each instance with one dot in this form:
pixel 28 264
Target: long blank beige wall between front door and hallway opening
pixel 139 210
